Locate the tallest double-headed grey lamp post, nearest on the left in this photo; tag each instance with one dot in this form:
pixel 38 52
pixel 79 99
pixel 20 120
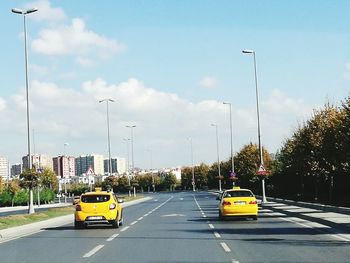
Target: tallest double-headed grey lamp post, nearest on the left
pixel 24 13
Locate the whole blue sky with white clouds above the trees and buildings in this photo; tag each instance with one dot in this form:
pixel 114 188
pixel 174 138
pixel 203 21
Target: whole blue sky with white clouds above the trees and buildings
pixel 169 65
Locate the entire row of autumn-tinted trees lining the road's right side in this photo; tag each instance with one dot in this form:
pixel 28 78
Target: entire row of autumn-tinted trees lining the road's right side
pixel 312 165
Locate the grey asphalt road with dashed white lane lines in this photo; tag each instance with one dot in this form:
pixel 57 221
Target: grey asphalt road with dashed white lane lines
pixel 183 227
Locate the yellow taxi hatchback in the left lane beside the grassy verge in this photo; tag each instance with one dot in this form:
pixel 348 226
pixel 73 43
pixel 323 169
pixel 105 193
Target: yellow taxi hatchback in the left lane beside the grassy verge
pixel 98 208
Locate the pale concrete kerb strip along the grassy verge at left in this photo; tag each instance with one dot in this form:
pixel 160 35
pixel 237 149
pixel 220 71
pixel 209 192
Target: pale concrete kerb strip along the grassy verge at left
pixel 29 229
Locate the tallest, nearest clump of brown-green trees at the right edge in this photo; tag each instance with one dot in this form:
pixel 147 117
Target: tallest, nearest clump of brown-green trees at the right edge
pixel 314 164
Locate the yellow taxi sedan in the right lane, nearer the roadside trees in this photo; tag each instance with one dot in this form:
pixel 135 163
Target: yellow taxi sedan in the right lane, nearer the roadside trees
pixel 238 202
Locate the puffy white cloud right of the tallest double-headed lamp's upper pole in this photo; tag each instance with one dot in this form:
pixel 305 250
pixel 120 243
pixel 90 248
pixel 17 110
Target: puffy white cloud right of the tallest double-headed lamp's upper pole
pixel 74 39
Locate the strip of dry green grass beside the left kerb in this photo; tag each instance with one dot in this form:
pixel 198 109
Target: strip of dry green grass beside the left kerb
pixel 23 219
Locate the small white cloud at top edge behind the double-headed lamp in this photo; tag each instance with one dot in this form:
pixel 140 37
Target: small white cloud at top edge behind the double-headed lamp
pixel 46 12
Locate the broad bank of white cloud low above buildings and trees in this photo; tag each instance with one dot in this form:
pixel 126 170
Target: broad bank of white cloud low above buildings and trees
pixel 164 121
